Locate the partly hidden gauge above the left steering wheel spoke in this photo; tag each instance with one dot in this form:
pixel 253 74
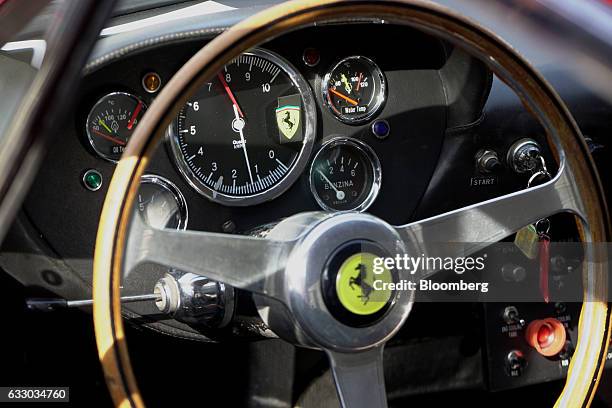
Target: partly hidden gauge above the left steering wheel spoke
pixel 161 204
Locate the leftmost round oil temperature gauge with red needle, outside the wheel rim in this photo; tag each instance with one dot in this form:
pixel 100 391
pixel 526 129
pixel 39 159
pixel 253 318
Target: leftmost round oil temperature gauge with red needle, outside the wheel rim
pixel 111 122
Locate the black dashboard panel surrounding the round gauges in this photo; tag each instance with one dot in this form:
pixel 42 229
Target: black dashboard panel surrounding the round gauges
pixel 416 110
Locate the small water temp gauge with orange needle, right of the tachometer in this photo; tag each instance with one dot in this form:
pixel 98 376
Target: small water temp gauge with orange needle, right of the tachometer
pixel 354 89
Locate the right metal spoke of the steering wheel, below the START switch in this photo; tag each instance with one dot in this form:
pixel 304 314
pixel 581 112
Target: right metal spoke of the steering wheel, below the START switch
pixel 480 225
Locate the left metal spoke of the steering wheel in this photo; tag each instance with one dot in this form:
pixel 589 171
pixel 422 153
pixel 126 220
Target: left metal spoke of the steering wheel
pixel 243 262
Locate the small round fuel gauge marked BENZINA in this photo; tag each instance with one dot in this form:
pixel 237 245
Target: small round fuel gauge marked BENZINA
pixel 345 175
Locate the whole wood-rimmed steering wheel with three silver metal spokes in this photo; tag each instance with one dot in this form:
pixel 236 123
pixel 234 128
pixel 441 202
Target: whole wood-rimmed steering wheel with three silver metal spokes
pixel 286 271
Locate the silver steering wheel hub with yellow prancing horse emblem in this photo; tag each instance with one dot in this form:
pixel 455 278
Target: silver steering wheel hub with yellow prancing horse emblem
pixel 334 281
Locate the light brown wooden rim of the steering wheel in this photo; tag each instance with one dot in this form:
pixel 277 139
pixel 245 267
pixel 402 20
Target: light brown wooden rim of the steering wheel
pixel 537 95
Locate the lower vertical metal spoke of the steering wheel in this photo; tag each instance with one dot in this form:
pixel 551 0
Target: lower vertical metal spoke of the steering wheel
pixel 359 378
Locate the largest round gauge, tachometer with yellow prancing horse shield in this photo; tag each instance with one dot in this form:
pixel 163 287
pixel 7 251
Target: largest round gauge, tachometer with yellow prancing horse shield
pixel 245 136
